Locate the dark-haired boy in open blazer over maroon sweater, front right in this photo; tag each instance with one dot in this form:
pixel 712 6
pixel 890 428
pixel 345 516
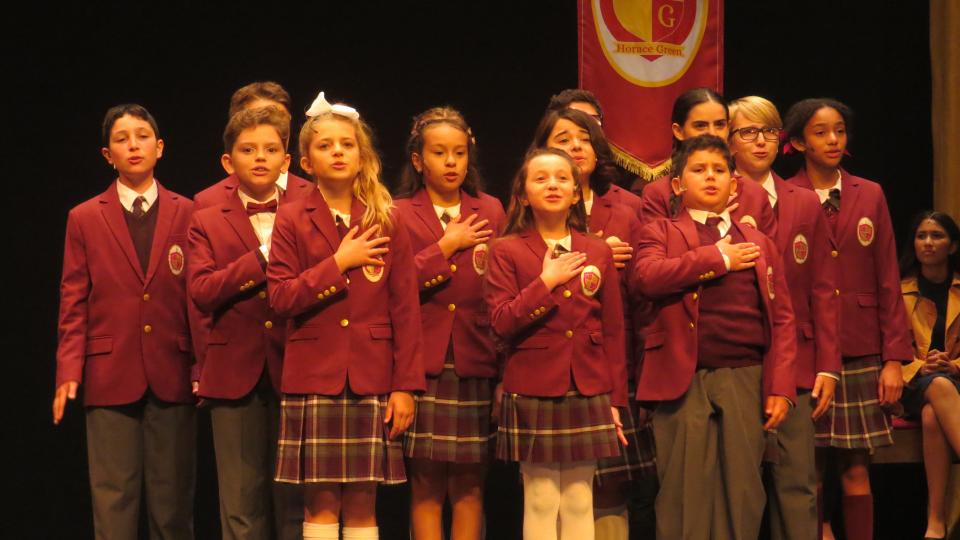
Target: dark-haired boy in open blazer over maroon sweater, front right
pixel 719 355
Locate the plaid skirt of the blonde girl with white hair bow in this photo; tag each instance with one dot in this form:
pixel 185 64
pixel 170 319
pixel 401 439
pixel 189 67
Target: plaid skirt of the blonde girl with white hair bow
pixel 336 439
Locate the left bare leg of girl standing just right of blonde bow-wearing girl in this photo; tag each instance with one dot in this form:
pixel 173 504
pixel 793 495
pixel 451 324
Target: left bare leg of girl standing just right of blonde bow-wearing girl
pixel 428 487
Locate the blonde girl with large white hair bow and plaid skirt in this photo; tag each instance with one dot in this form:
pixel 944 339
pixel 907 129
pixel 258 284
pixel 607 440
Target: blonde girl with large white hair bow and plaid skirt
pixel 342 271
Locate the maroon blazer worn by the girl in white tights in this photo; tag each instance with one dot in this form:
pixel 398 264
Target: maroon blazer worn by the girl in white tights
pixel 575 331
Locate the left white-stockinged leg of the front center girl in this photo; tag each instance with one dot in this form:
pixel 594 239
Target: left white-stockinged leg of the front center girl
pixel 541 500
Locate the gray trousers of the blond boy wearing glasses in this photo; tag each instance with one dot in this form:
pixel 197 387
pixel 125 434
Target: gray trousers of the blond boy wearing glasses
pixel 792 479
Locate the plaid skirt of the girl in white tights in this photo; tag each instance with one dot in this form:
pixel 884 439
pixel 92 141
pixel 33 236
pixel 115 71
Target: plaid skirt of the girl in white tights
pixel 556 430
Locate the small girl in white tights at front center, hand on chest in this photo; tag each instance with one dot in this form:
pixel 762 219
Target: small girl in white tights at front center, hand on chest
pixel 555 304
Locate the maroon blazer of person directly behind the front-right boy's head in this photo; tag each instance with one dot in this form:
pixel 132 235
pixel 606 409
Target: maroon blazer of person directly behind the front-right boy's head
pixel 753 204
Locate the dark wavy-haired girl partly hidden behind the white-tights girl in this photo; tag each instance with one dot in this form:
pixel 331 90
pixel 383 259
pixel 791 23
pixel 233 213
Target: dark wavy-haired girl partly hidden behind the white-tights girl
pixel 612 216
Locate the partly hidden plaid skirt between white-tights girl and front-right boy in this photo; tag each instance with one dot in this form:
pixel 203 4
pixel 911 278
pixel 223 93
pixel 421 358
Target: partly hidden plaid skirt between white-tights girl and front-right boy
pixel 636 460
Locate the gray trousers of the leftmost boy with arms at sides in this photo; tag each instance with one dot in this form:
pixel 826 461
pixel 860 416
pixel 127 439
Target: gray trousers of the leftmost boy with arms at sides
pixel 145 447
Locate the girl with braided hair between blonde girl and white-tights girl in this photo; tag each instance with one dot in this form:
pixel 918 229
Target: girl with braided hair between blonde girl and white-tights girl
pixel 450 222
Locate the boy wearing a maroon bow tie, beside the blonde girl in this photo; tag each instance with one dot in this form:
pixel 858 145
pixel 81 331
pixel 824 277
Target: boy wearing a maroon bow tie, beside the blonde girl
pixel 240 368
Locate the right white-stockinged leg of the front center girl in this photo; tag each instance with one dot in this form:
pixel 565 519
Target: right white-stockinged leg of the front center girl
pixel 576 500
